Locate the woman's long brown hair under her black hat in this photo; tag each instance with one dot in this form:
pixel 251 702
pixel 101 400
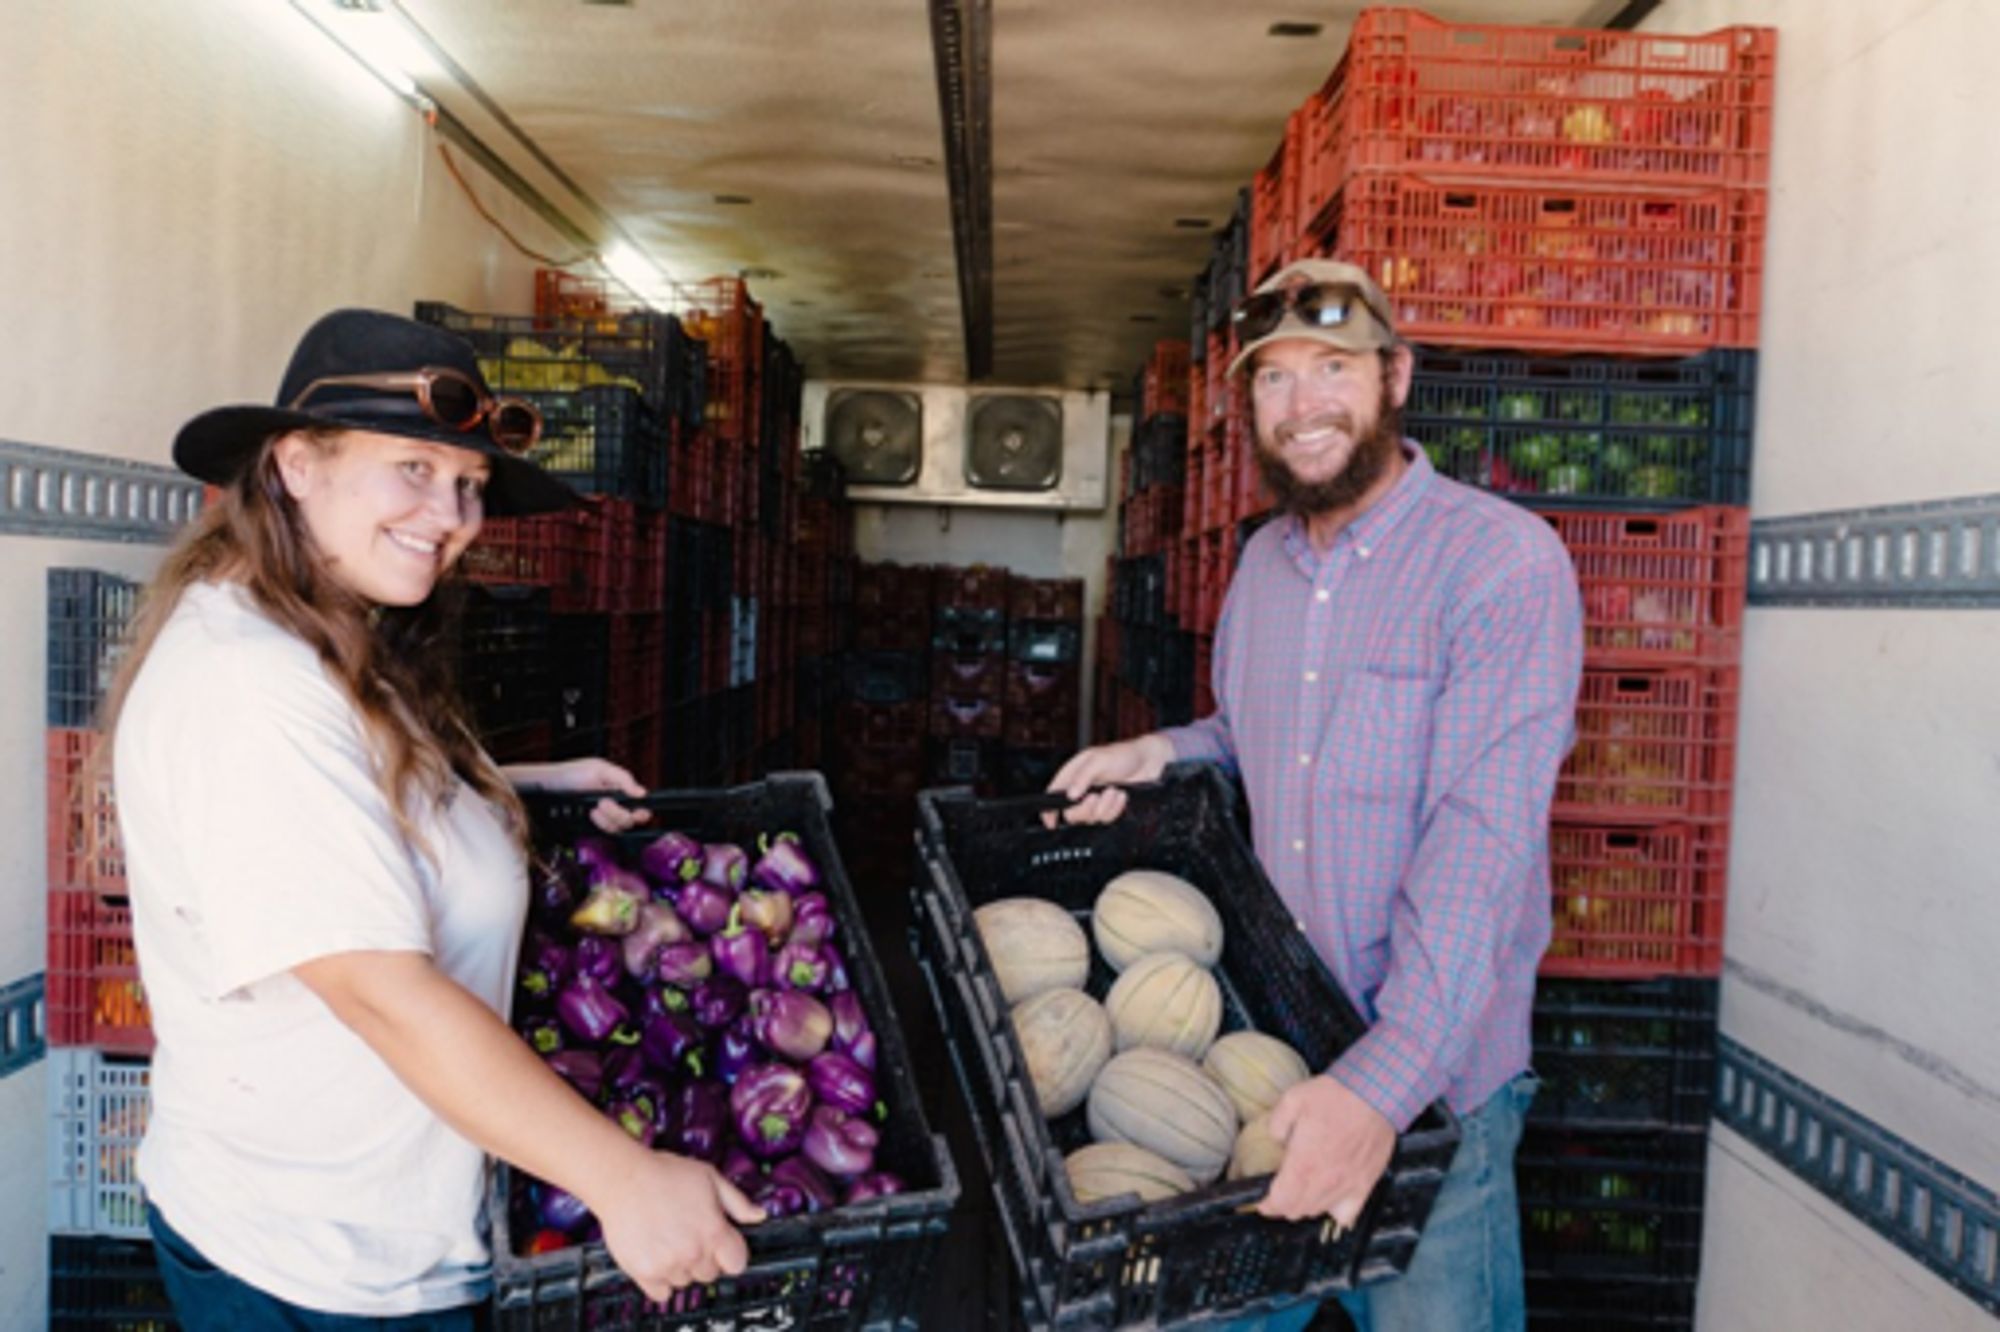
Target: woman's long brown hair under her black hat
pixel 393 663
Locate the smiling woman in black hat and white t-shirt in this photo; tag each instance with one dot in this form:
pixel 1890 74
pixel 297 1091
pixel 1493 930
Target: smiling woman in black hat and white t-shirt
pixel 329 875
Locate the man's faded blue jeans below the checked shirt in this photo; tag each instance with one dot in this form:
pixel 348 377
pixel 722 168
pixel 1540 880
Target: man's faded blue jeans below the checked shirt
pixel 1467 1269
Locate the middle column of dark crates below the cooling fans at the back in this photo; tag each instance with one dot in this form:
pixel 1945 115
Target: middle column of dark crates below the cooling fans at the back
pixel 969 675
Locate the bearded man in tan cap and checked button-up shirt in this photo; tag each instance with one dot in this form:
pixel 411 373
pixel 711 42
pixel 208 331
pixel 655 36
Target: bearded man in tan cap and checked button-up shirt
pixel 1395 679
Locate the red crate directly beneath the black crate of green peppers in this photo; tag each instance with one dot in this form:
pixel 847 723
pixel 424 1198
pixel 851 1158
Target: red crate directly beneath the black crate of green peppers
pixel 1661 589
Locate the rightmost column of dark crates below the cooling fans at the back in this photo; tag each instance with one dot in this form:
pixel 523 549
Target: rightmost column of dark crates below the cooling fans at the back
pixel 1045 681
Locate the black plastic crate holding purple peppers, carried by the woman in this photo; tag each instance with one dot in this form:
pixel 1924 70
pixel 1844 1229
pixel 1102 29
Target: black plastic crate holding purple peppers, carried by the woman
pixel 859 1267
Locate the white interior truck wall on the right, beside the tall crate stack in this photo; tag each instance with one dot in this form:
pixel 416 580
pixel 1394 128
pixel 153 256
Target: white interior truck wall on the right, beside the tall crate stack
pixel 1863 909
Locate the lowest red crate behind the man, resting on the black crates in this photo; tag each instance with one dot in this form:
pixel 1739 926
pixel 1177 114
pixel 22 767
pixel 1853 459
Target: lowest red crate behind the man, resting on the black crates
pixel 1633 903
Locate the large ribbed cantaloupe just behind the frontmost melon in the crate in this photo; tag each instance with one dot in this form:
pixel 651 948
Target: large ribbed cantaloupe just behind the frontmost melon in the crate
pixel 1167 1105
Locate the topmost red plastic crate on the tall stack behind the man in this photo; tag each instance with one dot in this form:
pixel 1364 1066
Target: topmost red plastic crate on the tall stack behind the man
pixel 1415 93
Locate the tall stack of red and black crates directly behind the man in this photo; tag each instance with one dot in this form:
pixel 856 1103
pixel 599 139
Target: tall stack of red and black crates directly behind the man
pixel 1569 227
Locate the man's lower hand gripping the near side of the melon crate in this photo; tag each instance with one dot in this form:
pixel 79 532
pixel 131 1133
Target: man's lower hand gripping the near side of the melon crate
pixel 1335 1151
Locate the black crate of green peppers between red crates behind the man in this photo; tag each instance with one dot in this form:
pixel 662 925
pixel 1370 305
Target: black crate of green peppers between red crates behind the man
pixel 1589 431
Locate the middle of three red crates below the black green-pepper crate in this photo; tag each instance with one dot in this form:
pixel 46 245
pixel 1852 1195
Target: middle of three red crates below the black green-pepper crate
pixel 1653 745
